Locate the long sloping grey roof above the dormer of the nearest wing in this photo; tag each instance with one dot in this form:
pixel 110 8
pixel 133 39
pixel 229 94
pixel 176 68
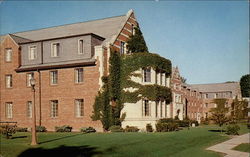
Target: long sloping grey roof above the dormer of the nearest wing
pixel 106 28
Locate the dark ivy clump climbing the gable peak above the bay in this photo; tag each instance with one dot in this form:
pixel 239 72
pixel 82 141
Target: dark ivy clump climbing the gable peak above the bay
pixel 136 42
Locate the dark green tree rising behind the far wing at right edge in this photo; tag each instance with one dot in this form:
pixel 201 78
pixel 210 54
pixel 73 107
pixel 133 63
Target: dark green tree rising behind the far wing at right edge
pixel 245 85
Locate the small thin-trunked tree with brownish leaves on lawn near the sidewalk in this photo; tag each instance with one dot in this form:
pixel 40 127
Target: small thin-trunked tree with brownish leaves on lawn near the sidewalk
pixel 219 113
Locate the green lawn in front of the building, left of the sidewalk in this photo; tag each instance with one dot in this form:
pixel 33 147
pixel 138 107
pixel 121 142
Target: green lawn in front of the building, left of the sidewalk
pixel 188 143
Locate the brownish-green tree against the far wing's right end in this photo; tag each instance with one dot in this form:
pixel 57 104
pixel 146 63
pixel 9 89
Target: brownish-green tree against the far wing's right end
pixel 239 109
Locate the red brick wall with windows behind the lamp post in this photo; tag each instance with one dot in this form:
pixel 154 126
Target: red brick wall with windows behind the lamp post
pixel 65 92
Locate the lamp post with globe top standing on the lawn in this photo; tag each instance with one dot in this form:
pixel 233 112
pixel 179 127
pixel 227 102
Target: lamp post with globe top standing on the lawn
pixel 34 140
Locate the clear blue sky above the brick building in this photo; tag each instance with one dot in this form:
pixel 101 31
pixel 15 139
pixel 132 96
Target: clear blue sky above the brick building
pixel 207 40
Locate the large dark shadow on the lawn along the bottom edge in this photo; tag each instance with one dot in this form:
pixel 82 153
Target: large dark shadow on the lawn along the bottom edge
pixel 61 151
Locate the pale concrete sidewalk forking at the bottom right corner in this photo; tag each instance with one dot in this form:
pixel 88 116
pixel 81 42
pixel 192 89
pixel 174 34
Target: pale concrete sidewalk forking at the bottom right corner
pixel 226 147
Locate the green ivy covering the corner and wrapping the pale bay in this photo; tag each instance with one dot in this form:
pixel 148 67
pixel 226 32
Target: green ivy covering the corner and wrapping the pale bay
pixel 110 100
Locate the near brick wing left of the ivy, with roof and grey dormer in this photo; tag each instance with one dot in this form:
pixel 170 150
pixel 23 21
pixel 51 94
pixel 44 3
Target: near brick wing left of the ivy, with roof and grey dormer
pixel 67 63
